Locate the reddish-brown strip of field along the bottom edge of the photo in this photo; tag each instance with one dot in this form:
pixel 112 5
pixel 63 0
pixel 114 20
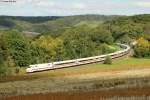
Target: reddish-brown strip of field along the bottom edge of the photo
pixel 120 94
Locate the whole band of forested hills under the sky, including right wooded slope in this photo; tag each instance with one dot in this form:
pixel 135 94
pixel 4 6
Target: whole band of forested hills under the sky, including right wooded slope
pixel 120 26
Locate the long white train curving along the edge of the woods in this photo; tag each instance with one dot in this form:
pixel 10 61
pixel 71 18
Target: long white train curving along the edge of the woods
pixel 76 62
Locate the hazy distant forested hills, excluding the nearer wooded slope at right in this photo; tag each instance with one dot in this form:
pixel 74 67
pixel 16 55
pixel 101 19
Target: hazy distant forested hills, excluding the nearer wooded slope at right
pixel 51 24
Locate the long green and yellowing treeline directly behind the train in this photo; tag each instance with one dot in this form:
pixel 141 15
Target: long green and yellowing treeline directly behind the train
pixel 19 50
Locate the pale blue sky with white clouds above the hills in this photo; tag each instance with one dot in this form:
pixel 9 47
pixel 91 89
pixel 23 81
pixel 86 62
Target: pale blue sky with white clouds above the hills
pixel 74 7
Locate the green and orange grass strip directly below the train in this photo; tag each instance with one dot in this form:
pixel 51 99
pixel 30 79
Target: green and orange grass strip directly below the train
pixel 122 64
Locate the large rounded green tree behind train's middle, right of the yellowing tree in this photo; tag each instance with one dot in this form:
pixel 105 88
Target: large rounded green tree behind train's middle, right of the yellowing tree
pixel 78 43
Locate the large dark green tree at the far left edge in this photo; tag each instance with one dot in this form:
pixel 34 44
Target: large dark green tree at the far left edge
pixel 16 46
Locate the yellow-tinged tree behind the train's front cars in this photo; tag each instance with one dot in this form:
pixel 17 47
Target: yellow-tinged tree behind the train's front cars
pixel 47 49
